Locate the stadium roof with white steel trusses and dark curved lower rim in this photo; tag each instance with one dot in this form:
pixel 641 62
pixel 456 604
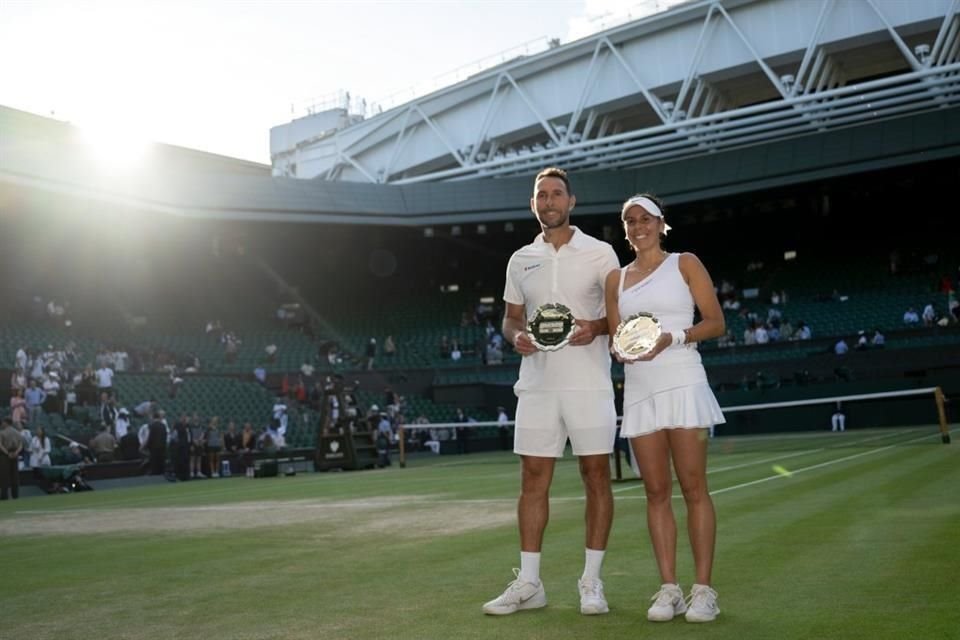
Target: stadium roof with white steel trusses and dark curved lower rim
pixel 802 91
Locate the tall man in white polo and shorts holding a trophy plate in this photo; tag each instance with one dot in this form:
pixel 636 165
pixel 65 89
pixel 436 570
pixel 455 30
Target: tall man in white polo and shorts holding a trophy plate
pixel 563 393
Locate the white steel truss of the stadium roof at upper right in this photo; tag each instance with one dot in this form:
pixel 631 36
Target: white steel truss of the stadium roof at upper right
pixel 618 114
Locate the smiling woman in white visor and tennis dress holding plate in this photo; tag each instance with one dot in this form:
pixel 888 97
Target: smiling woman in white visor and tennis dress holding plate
pixel 668 404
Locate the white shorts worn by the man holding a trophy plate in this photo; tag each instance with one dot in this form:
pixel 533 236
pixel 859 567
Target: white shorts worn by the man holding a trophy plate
pixel 545 419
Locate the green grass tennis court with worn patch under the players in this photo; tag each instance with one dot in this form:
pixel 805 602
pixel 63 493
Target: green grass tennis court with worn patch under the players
pixel 861 540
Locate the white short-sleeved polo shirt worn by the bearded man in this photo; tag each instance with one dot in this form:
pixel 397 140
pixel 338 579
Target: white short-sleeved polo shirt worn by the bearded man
pixel 573 276
